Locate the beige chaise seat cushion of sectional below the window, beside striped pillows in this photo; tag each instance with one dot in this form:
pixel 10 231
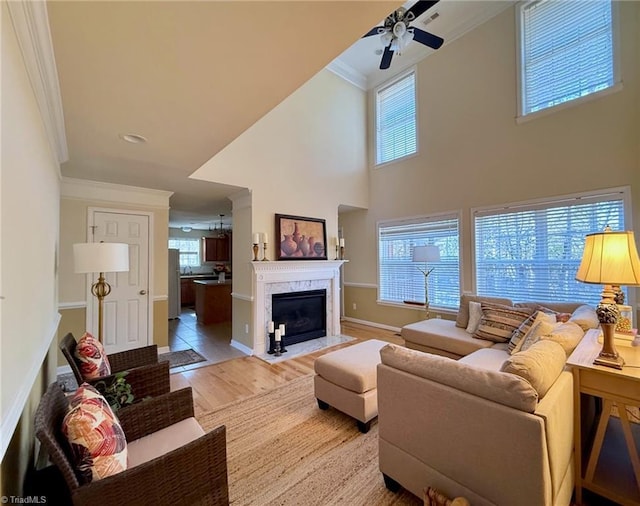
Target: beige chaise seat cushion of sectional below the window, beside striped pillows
pixel 443 335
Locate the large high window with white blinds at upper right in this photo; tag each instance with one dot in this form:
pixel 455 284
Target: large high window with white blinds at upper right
pixel 566 50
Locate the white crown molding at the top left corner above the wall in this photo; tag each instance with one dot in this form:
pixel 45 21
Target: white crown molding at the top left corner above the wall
pixel 31 24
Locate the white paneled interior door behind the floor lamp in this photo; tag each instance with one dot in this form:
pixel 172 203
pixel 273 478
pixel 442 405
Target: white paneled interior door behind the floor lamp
pixel 126 308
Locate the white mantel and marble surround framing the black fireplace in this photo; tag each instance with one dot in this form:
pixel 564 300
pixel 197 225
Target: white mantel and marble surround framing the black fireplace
pixel 293 276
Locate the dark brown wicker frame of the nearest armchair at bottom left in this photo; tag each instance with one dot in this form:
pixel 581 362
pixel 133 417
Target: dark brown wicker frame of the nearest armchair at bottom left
pixel 194 474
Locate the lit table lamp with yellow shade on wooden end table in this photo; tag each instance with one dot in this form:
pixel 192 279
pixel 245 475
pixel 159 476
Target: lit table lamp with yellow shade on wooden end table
pixel 609 259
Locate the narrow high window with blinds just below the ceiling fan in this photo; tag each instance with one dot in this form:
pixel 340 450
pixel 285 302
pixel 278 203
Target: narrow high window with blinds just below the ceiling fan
pixel 396 119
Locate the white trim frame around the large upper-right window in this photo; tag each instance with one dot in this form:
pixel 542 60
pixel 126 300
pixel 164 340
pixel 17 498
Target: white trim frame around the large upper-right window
pixel 617 74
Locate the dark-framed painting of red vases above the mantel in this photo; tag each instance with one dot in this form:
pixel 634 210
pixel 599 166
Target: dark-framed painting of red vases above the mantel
pixel 300 238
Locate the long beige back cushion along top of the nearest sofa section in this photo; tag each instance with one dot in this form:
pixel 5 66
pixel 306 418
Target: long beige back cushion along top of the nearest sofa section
pixel 506 389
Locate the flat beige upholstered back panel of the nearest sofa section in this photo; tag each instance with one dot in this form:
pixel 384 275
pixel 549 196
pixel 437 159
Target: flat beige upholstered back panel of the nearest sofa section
pixel 434 434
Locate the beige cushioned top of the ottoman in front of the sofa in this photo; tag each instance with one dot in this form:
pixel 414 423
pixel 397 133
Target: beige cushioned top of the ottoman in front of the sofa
pixel 353 368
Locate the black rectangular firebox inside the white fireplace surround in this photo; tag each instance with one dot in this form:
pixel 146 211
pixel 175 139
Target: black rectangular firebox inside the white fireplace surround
pixel 303 313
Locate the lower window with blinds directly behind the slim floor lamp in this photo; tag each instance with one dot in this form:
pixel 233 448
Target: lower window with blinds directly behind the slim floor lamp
pixel 400 279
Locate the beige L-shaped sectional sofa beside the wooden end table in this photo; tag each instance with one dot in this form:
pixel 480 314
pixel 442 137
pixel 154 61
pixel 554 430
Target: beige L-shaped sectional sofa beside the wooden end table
pixel 494 427
